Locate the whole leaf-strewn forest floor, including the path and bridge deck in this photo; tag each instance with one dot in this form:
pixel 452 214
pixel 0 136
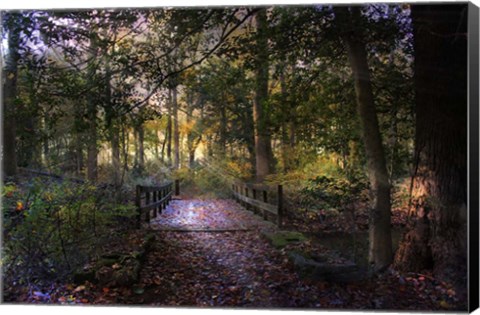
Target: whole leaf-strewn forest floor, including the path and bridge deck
pixel 230 264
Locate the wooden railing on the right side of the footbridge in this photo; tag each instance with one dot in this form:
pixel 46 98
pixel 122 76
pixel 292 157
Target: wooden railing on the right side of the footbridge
pixel 262 199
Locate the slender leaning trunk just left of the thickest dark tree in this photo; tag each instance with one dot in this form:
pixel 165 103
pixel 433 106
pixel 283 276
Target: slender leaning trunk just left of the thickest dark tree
pixel 380 239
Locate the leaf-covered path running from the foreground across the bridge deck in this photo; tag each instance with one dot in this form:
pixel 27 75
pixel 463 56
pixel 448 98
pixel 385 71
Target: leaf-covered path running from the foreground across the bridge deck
pixel 237 268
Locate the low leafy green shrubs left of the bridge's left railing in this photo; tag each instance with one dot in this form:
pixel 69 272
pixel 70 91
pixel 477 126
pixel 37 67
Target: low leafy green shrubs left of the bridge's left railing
pixel 51 229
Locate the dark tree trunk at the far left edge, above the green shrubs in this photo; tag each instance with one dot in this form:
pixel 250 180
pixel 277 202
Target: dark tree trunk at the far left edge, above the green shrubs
pixel 10 94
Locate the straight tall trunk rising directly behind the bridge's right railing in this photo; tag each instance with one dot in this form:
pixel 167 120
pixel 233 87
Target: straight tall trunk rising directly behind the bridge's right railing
pixel 260 118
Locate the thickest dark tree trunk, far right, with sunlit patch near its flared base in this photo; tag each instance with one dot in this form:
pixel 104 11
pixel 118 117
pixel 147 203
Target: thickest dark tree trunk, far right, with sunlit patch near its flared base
pixel 438 239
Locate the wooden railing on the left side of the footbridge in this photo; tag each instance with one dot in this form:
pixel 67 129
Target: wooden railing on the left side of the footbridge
pixel 154 198
